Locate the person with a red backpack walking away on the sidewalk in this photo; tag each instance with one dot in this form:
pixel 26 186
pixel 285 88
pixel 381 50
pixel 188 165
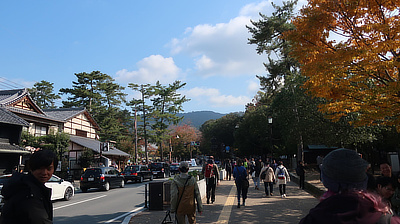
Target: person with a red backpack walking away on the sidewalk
pixel 211 175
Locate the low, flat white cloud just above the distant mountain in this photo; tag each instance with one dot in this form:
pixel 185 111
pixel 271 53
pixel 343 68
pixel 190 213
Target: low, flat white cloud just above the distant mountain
pixel 213 98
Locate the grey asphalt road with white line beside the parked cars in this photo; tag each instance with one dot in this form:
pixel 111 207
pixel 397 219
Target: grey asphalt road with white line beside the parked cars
pixel 98 206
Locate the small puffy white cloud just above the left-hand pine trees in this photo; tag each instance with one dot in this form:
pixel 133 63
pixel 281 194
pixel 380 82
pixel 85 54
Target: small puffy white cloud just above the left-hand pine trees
pixel 151 69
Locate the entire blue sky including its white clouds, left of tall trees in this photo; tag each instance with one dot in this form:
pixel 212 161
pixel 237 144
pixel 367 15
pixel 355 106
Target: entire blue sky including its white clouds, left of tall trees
pixel 202 43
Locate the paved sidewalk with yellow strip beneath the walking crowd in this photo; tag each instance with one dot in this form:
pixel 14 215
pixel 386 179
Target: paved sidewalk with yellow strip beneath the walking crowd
pixel 258 209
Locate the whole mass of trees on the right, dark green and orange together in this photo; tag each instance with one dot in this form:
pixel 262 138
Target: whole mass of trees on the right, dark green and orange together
pixel 332 79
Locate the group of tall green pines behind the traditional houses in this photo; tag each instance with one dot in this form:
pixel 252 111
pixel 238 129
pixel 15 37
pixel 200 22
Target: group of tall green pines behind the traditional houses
pixel 147 121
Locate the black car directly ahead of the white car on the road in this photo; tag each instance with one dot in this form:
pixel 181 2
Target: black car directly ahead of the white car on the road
pixel 101 177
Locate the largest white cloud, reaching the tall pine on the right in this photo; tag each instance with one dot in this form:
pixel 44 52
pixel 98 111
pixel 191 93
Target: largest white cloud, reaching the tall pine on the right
pixel 221 49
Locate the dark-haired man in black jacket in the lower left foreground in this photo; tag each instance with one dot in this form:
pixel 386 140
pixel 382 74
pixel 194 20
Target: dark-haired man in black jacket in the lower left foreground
pixel 27 199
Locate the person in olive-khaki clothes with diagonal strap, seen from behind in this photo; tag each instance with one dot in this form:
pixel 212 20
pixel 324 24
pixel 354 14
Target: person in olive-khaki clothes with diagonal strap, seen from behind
pixel 184 192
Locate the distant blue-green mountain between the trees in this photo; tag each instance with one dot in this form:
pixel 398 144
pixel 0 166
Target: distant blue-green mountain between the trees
pixel 197 118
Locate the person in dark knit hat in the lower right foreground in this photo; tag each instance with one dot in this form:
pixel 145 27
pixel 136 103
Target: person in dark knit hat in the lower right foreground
pixel 347 201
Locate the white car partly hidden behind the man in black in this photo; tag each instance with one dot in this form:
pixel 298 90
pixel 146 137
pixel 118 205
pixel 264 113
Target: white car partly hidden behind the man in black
pixel 61 189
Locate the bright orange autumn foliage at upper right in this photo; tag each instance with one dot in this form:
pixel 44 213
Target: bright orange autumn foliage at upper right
pixel 350 52
